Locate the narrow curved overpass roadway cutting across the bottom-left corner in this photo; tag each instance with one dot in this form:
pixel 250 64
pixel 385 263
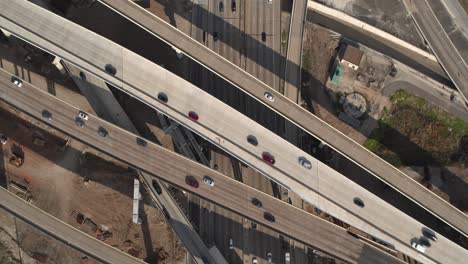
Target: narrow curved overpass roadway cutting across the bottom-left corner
pixel 62 231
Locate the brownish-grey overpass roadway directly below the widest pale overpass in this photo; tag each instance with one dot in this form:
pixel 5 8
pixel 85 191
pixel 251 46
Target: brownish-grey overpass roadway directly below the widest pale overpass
pixel 152 158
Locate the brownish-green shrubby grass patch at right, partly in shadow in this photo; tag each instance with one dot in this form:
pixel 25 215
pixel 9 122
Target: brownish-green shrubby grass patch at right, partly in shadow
pixel 414 132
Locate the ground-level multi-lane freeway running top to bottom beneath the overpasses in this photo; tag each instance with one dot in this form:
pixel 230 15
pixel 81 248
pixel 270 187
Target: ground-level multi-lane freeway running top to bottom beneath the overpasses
pixel 230 26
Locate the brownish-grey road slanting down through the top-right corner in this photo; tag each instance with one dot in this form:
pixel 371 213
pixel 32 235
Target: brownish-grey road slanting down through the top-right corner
pixel 443 48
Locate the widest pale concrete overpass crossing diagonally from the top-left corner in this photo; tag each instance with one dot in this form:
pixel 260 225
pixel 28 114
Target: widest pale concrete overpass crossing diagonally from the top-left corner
pixel 334 194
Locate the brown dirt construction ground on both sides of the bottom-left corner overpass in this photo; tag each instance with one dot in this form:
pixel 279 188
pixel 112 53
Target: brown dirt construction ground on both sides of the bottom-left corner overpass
pixel 75 179
